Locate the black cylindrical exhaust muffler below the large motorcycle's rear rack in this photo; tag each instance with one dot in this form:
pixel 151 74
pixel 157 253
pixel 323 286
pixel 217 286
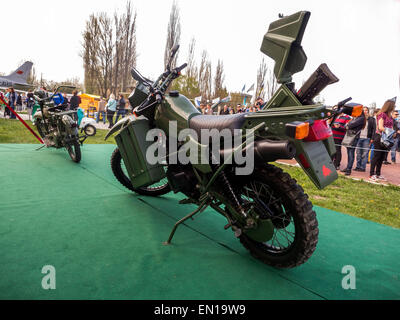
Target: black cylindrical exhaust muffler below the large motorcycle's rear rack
pixel 268 150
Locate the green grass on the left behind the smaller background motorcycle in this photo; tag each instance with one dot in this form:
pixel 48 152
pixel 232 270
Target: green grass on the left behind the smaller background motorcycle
pixel 13 131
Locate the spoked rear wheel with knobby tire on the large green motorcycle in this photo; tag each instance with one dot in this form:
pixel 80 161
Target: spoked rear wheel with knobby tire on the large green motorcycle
pixel 295 233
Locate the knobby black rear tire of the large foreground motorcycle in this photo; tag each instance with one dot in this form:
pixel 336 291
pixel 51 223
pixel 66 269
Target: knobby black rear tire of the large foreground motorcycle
pixel 297 213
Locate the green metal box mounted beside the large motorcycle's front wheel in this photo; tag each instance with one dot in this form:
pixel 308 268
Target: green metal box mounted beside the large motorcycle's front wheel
pixel 132 144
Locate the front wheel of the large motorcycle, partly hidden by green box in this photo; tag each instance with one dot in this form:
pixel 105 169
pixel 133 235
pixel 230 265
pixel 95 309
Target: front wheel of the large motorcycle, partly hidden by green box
pixel 120 172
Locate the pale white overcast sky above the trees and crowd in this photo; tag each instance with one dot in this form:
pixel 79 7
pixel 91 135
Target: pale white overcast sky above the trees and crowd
pixel 358 39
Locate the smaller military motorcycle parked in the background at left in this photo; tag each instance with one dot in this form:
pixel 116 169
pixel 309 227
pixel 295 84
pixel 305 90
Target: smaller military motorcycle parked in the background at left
pixel 56 126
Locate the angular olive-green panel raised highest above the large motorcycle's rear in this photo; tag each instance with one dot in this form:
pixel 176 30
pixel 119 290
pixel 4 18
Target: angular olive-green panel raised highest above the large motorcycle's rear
pixel 282 43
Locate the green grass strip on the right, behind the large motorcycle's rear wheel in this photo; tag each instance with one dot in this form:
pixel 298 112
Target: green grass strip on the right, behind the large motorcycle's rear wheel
pixel 364 200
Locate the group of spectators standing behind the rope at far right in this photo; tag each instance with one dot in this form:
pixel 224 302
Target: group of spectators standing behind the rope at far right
pixel 367 145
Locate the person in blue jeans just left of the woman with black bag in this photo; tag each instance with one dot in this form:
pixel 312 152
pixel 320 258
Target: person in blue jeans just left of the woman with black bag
pixel 365 140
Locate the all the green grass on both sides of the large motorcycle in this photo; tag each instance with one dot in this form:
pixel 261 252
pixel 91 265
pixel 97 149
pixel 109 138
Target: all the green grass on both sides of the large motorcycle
pixel 357 198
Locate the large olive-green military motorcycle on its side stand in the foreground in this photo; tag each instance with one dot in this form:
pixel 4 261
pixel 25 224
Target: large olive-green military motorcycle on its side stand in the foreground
pixel 266 209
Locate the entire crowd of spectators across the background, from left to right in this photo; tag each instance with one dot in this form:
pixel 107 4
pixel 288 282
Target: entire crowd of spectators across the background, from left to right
pixel 366 145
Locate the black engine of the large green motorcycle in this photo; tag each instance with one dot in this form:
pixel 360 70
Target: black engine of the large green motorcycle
pixel 182 179
